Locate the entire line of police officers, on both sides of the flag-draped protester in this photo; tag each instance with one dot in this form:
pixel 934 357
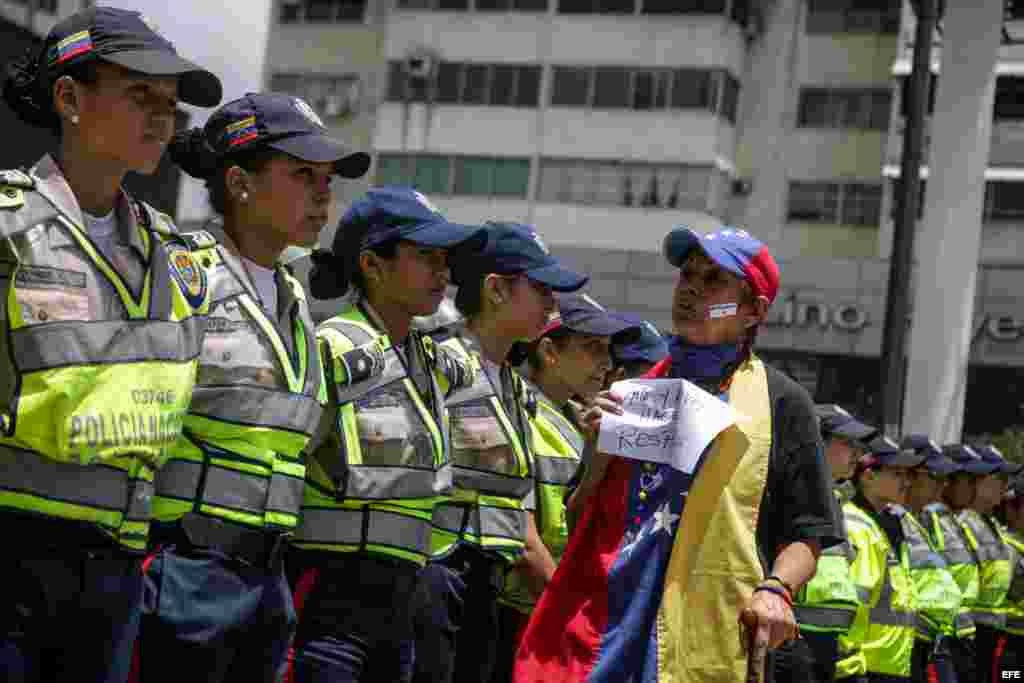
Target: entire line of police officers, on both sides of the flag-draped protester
pixel 175 423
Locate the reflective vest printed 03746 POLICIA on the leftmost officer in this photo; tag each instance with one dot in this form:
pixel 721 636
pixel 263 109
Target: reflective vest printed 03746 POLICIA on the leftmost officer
pixel 100 358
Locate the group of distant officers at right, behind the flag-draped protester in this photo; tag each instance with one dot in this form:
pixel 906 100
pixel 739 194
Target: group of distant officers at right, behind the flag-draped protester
pixel 930 584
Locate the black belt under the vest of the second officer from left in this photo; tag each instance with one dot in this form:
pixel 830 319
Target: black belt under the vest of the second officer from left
pixel 257 547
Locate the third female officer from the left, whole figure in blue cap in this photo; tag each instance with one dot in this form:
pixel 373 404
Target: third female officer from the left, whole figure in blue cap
pixel 372 487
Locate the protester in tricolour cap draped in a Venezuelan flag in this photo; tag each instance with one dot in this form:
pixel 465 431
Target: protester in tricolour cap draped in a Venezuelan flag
pixel 638 596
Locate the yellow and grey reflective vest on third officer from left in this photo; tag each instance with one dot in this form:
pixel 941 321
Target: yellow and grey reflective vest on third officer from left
pixel 373 484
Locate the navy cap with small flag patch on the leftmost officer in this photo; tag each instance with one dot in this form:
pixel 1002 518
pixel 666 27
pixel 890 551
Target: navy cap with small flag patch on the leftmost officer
pixel 129 39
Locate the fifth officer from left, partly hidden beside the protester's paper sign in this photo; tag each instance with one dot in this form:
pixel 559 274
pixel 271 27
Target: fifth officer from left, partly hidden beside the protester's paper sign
pixel 570 359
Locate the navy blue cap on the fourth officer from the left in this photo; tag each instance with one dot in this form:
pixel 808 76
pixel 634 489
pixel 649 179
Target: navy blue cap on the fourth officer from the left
pixel 515 249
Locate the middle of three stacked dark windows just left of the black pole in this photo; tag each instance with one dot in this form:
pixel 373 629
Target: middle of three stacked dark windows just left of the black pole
pixel 825 108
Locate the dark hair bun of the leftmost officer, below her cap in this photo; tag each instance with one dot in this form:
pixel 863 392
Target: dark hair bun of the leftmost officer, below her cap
pixel 30 97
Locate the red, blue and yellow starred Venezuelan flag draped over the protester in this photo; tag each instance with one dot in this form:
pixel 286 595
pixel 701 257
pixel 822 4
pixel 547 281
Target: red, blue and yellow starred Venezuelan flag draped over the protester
pixel 652 584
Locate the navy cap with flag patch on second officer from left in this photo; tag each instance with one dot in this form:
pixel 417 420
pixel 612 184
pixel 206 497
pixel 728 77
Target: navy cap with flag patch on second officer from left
pixel 284 123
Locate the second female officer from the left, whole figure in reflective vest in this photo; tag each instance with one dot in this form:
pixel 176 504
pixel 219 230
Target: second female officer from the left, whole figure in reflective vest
pixel 232 492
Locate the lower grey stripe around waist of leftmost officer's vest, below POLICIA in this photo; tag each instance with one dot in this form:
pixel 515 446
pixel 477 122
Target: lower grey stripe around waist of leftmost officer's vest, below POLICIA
pixel 95 486
